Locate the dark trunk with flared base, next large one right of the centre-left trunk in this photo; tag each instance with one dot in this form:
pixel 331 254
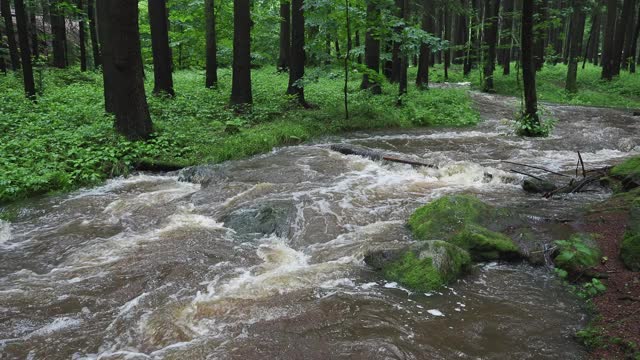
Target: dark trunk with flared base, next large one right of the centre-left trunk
pixel 297 58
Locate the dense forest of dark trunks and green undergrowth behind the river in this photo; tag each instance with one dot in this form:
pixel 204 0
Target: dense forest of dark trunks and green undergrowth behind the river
pixel 212 80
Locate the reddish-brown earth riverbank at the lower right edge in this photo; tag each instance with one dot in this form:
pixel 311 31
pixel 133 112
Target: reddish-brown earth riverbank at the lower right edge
pixel 614 332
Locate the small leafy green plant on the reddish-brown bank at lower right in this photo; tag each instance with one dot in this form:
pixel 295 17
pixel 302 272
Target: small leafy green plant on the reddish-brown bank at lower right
pixel 577 254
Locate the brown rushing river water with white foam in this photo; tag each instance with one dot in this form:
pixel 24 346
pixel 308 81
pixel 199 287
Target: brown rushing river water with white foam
pixel 152 267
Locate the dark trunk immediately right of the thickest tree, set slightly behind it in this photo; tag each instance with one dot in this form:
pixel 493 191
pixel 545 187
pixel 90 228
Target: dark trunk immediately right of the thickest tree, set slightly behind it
pixel 162 64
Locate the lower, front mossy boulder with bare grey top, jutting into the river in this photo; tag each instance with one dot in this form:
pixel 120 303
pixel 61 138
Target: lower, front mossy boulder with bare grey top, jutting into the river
pixel 423 266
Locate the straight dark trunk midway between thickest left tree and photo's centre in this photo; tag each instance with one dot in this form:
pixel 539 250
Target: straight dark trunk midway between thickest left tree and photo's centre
pixel 241 84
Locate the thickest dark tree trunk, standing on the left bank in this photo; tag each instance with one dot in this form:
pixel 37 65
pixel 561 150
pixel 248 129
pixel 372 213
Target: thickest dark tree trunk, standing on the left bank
pixel 123 46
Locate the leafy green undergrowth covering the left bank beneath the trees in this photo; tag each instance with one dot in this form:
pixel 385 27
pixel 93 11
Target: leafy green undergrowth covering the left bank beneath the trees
pixel 65 140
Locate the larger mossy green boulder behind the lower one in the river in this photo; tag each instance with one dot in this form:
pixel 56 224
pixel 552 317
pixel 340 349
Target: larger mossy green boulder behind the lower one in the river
pixel 467 222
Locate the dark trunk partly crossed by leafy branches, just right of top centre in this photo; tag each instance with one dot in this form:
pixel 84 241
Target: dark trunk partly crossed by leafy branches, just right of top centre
pixel 371 49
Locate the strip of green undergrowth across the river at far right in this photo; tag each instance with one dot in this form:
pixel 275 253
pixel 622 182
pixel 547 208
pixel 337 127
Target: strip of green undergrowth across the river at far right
pixel 621 92
